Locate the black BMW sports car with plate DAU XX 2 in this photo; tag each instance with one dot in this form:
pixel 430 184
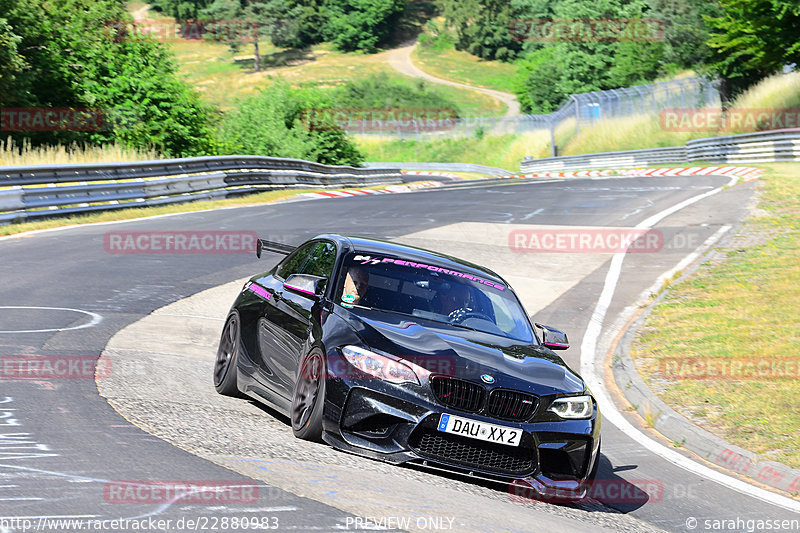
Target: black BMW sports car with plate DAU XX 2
pixel 406 355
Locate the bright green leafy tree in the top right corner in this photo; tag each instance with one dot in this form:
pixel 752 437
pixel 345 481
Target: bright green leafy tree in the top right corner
pixel 753 39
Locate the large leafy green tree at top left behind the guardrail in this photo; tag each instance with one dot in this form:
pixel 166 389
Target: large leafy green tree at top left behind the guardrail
pixel 78 58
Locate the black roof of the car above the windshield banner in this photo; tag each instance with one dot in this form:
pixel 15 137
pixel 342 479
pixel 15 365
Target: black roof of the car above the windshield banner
pixel 419 255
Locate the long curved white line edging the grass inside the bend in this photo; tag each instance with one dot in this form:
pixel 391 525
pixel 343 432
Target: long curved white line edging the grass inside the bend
pixel 591 362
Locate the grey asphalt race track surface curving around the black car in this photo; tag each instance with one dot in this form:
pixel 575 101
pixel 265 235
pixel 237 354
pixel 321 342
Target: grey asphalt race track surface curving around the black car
pixel 64 449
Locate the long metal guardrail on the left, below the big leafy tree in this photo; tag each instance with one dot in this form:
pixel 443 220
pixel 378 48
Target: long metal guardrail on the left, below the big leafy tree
pixel 42 191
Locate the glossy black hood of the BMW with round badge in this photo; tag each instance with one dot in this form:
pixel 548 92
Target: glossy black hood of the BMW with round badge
pixel 466 354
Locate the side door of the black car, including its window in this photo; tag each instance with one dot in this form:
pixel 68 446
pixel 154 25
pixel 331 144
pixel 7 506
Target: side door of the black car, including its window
pixel 285 330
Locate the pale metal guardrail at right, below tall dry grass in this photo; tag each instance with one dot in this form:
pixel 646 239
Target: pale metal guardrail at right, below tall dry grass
pixel 761 147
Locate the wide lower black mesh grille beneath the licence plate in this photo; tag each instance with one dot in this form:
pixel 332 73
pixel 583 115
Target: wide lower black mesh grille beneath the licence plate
pixel 470 453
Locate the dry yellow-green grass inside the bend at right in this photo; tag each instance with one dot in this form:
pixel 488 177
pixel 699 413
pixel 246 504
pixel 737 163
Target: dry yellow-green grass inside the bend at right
pixel 743 306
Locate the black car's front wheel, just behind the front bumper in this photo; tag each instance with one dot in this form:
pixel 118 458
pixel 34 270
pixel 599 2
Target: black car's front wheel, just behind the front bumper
pixel 308 399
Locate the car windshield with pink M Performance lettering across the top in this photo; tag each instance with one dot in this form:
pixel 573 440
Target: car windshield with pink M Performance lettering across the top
pixel 431 292
